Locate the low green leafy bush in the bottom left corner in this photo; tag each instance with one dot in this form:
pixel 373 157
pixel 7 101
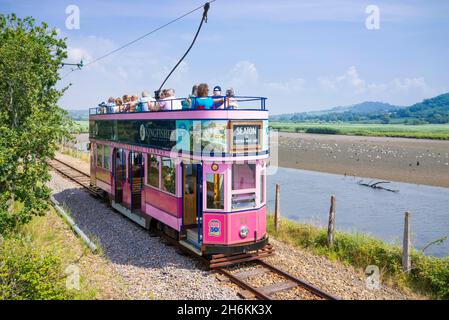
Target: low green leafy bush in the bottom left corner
pixel 28 274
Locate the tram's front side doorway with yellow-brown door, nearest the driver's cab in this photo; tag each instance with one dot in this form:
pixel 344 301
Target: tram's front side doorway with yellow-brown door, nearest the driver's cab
pixel 192 195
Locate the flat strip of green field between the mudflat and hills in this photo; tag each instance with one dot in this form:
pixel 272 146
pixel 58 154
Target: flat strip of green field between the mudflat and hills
pixel 426 131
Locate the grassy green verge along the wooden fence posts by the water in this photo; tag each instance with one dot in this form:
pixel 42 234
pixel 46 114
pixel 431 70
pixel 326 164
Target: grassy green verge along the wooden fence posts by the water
pixel 429 275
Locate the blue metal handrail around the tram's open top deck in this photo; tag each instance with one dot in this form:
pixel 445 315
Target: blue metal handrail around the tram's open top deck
pixel 226 105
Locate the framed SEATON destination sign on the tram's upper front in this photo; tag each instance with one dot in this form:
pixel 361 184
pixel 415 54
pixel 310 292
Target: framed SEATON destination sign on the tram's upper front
pixel 246 135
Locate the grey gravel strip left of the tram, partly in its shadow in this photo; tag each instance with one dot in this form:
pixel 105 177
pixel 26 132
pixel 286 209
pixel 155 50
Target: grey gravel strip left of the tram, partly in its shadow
pixel 149 268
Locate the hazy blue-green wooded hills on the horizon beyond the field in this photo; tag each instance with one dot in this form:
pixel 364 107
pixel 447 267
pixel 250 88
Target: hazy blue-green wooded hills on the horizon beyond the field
pixel 434 110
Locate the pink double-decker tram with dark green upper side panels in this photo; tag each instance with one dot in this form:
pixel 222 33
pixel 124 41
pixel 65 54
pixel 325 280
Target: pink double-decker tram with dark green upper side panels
pixel 197 175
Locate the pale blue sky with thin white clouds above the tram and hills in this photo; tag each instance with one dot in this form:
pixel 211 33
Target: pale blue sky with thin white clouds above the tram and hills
pixel 302 55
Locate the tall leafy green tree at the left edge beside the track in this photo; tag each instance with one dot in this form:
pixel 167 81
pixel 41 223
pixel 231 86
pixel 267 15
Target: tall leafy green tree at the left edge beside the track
pixel 31 123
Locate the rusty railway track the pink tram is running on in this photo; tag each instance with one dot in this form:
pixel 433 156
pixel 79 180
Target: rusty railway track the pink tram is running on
pixel 230 267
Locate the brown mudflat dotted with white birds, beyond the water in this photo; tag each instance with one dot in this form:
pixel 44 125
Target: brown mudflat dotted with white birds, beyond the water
pixel 417 161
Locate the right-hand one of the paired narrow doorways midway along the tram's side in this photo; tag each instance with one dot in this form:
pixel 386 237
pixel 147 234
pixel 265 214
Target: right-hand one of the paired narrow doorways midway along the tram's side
pixel 135 174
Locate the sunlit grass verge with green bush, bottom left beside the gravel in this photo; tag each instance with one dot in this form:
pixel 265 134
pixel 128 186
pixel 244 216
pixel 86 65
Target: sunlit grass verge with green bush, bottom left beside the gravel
pixel 37 264
